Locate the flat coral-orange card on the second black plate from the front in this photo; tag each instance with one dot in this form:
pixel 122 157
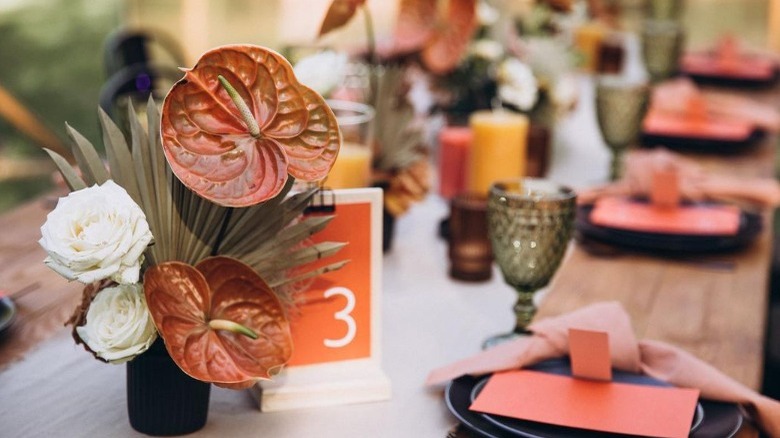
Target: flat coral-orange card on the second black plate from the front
pixel 624 213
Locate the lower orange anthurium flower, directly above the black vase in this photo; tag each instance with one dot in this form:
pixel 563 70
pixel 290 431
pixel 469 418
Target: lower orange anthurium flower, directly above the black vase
pixel 220 321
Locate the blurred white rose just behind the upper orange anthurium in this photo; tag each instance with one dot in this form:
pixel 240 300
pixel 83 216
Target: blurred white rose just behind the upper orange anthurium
pixel 323 71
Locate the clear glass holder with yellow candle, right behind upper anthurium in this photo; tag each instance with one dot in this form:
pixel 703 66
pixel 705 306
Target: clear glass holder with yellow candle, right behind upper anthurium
pixel 353 165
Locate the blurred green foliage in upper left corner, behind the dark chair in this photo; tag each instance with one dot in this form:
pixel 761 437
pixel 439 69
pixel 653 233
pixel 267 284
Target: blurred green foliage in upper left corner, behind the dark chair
pixel 51 60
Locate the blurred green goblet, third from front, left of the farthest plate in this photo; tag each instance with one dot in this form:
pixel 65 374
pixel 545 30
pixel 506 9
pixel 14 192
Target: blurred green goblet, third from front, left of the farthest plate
pixel 662 42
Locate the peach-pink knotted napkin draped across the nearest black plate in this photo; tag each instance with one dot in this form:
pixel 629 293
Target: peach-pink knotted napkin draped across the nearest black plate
pixel 656 359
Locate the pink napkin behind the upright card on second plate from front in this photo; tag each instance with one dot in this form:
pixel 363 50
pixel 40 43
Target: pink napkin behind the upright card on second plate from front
pixel 694 183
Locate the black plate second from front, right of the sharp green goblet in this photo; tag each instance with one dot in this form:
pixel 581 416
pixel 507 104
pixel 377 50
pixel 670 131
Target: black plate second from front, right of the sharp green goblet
pixel 750 225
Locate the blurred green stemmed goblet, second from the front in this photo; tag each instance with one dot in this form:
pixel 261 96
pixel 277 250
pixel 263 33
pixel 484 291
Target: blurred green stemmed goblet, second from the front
pixel 621 106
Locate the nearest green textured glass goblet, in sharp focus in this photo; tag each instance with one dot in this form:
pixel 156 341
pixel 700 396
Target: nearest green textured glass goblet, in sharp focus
pixel 530 223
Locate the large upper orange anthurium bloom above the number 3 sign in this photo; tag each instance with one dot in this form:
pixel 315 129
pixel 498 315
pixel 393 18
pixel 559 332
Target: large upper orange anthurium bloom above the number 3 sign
pixel 239 122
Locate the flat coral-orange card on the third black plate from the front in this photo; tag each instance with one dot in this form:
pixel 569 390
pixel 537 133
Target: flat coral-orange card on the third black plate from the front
pixel 672 125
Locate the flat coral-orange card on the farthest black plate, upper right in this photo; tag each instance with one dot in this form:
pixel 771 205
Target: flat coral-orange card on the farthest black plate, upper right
pixel 745 67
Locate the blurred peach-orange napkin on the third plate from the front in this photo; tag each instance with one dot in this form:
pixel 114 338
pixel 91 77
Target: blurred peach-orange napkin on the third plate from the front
pixel 679 105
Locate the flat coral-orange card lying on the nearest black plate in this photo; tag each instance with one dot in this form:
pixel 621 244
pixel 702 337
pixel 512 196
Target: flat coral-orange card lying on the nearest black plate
pixel 602 406
